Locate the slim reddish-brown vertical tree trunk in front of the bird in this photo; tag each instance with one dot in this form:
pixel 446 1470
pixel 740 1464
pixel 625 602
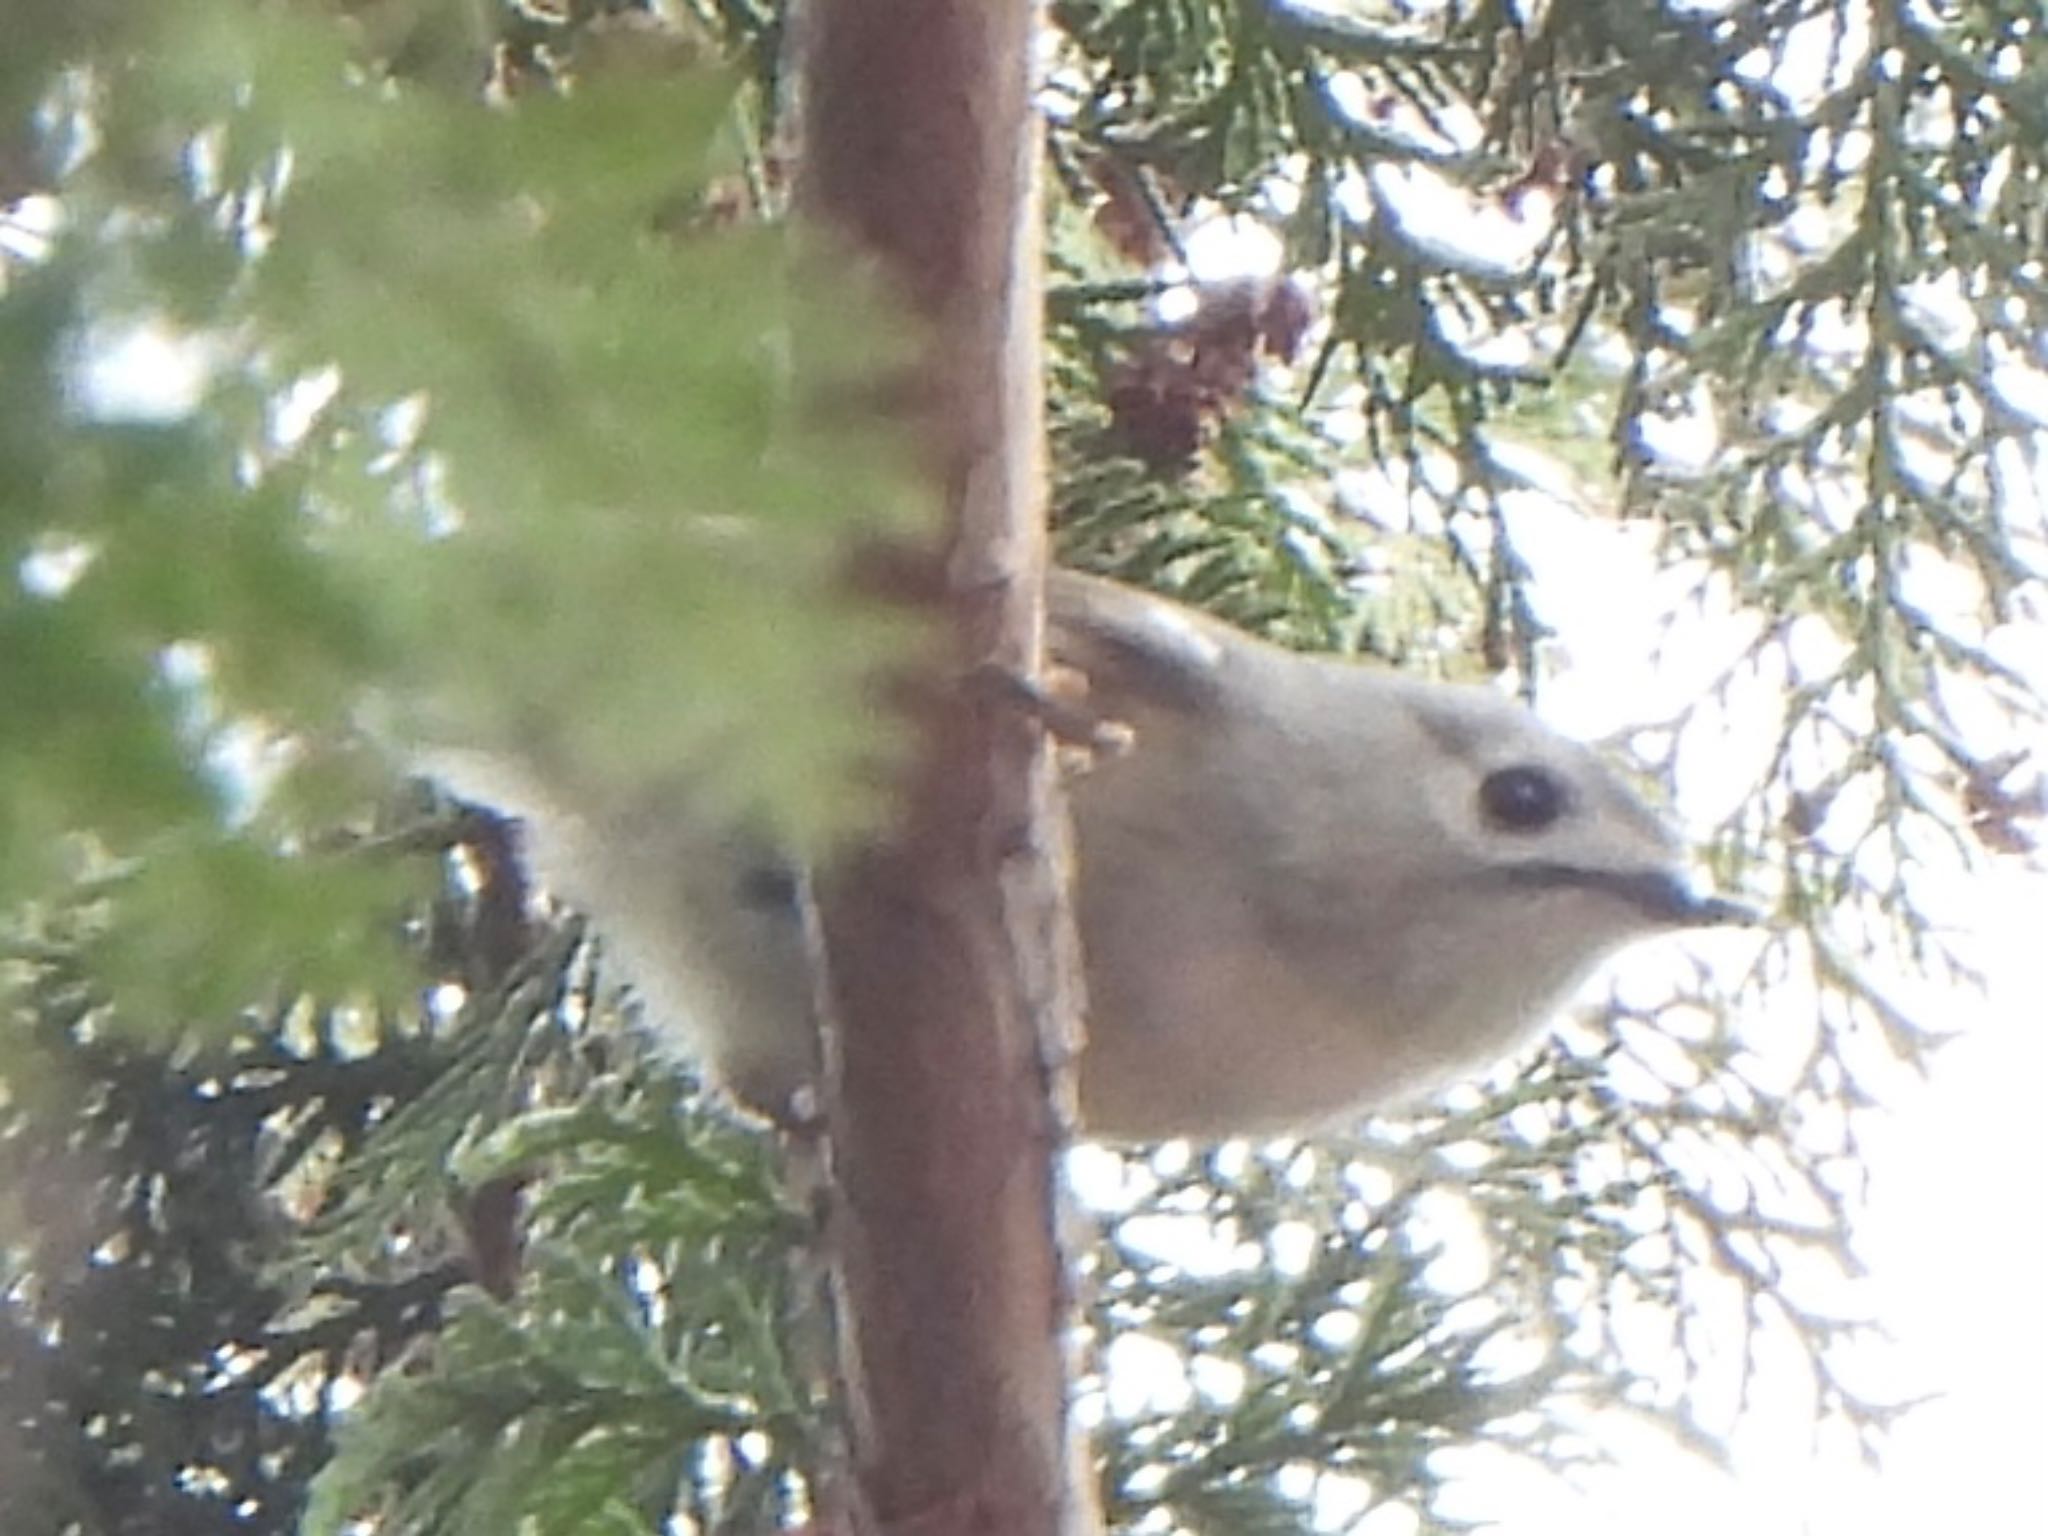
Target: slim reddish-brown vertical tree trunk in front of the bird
pixel 947 945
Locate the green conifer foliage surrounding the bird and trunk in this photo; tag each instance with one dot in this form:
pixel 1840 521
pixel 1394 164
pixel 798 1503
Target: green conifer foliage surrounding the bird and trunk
pixel 337 1191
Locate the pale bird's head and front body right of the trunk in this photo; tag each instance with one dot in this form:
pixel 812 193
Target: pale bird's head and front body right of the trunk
pixel 1318 886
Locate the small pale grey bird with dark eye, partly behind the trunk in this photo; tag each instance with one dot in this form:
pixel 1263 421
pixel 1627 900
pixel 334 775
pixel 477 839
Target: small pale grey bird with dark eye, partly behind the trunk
pixel 1310 890
